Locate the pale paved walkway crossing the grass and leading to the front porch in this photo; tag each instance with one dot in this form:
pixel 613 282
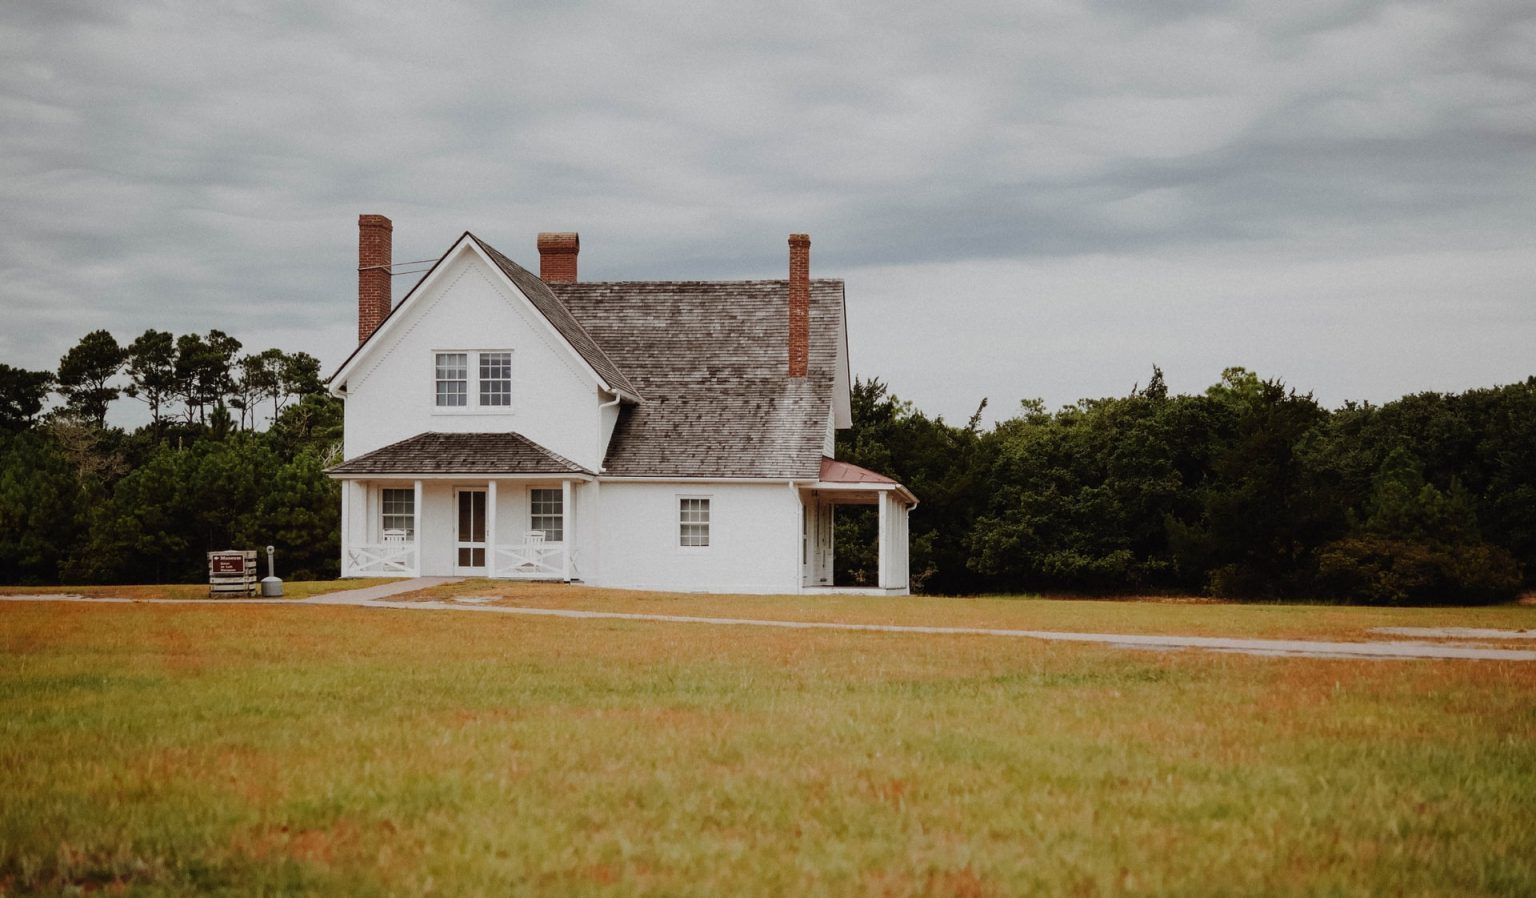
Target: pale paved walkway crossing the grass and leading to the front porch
pixel 380 598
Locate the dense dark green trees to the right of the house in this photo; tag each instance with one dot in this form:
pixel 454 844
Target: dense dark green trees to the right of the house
pixel 1250 490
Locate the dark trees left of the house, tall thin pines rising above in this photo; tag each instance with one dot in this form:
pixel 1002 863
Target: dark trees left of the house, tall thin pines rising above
pixel 233 457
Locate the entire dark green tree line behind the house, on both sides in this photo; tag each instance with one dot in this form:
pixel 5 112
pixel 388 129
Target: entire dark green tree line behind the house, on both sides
pixel 1246 490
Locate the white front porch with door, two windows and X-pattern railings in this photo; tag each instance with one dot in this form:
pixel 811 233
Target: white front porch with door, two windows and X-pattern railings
pixel 517 529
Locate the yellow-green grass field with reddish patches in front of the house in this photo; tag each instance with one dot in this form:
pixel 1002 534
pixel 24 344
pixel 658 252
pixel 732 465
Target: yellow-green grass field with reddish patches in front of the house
pixel 290 750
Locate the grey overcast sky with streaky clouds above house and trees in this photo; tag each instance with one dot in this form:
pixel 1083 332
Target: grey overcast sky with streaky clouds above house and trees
pixel 1025 199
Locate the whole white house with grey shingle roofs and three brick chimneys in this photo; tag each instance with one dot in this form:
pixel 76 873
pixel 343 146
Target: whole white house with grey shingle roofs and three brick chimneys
pixel 658 435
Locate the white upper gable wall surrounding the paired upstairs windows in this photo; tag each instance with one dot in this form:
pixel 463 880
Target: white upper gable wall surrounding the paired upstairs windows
pixel 472 308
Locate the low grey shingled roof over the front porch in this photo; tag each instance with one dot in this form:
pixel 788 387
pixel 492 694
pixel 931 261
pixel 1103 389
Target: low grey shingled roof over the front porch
pixel 462 454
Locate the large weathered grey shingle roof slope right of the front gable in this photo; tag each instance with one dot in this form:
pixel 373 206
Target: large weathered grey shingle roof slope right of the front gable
pixel 710 358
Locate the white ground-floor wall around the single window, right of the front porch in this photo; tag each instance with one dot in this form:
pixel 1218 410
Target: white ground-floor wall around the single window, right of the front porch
pixel 755 538
